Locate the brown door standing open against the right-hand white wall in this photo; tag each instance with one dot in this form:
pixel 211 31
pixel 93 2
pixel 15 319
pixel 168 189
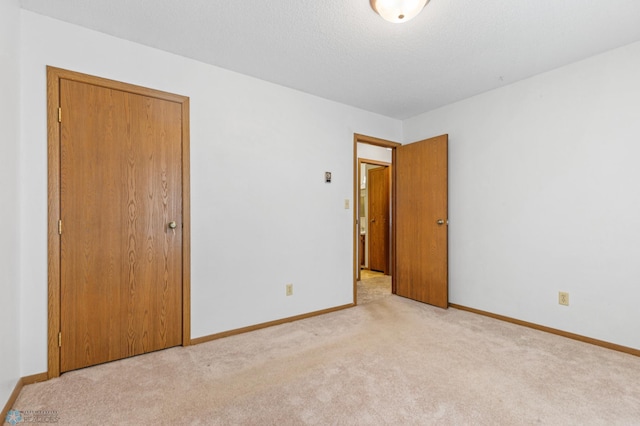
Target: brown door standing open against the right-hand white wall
pixel 420 221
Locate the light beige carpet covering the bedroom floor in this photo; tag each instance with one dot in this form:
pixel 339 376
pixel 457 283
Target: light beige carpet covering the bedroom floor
pixel 388 361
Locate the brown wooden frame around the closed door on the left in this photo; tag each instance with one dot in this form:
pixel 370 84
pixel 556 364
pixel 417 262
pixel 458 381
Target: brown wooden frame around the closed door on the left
pixel 54 75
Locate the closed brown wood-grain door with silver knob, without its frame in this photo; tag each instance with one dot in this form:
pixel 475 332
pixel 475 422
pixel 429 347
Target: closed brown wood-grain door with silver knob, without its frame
pixel 120 191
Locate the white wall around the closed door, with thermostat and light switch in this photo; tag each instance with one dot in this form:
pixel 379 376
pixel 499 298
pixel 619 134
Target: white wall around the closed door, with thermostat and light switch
pixel 262 215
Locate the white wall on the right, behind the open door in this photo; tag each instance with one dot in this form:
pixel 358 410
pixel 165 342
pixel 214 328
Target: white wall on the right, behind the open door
pixel 544 196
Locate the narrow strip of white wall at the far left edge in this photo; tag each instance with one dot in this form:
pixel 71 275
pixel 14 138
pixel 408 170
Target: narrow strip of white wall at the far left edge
pixel 9 217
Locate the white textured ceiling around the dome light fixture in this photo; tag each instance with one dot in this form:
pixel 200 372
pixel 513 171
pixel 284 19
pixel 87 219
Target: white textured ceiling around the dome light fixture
pixel 341 50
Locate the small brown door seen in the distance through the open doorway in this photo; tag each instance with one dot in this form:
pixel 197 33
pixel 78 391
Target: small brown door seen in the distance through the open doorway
pixel 378 181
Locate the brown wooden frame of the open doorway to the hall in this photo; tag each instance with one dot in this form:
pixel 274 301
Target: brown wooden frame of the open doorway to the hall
pixel 370 140
